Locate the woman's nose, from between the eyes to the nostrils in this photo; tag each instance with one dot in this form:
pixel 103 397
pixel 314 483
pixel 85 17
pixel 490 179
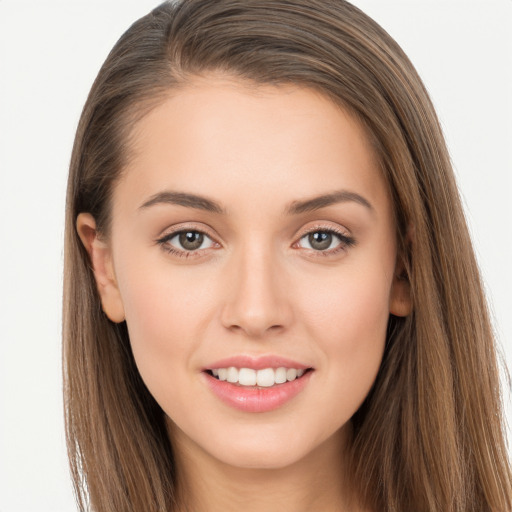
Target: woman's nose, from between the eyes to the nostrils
pixel 257 299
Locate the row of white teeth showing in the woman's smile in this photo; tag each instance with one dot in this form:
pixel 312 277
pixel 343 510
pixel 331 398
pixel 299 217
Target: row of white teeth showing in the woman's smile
pixel 263 378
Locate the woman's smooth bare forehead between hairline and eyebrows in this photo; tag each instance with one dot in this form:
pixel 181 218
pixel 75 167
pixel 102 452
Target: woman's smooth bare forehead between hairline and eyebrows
pixel 225 137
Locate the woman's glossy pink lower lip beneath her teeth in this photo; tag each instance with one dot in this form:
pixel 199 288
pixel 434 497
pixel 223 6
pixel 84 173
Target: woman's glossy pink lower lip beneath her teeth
pixel 254 399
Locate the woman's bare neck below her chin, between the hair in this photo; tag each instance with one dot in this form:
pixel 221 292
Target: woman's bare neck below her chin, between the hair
pixel 315 482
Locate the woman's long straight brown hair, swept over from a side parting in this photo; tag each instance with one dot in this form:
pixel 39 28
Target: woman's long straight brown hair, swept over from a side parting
pixel 430 435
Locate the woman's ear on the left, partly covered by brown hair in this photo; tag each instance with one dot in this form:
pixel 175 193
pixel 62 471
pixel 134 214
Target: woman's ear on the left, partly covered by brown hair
pixel 100 255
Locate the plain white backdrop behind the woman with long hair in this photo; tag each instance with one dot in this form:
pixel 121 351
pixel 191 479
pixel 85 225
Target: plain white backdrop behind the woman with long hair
pixel 50 52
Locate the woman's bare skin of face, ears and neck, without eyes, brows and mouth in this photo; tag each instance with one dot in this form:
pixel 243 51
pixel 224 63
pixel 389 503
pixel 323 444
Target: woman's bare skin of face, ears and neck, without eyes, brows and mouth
pixel 255 287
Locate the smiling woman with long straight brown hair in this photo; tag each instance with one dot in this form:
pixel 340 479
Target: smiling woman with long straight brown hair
pixel 272 299
